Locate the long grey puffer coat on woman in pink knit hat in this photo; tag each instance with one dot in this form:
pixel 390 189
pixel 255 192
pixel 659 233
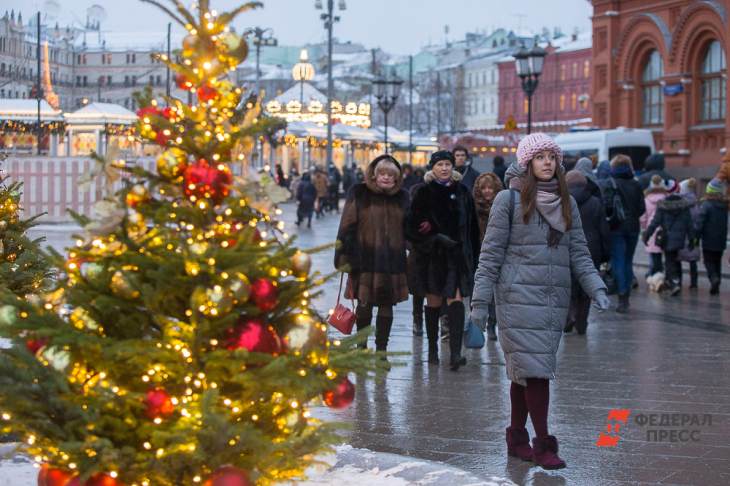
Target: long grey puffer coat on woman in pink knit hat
pixel 531 285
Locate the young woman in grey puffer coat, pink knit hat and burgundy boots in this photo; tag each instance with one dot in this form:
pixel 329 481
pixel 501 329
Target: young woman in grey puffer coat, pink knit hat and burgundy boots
pixel 534 242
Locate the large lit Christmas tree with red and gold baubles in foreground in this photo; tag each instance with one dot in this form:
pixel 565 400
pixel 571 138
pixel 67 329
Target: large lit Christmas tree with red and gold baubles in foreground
pixel 180 345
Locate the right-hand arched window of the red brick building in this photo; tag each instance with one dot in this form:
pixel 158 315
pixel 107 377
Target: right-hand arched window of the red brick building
pixel 712 81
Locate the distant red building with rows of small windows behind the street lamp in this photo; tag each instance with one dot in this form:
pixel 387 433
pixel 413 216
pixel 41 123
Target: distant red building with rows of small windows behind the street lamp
pixel 562 98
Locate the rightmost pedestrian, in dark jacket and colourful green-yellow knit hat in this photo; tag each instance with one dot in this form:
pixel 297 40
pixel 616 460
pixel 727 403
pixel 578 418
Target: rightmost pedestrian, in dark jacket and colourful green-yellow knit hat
pixel 712 231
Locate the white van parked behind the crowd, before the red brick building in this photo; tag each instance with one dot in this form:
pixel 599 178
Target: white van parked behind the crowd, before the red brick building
pixel 600 145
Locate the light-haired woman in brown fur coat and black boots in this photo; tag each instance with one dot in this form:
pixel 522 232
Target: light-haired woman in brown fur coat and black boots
pixel 371 246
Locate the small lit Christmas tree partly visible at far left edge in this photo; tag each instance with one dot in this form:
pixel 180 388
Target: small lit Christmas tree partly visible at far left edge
pixel 24 268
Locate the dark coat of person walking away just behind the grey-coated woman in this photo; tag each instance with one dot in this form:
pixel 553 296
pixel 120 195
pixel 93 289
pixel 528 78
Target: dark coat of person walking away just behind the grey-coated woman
pixel 595 226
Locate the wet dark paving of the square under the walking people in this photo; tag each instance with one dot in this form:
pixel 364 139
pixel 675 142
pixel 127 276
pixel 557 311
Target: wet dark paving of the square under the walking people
pixel 667 362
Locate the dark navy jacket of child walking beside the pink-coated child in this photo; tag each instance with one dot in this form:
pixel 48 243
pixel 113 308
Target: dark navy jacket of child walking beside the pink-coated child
pixel 674 217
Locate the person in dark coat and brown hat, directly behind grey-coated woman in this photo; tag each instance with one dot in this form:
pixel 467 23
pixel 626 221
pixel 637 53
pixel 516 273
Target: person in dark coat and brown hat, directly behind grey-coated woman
pixel 597 234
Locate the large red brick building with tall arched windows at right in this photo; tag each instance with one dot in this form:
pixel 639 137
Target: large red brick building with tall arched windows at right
pixel 661 64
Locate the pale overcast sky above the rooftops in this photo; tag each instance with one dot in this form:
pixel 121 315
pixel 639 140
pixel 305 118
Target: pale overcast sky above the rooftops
pixel 398 26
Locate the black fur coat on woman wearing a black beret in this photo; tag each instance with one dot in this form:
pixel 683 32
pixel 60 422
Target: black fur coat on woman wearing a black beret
pixel 450 211
